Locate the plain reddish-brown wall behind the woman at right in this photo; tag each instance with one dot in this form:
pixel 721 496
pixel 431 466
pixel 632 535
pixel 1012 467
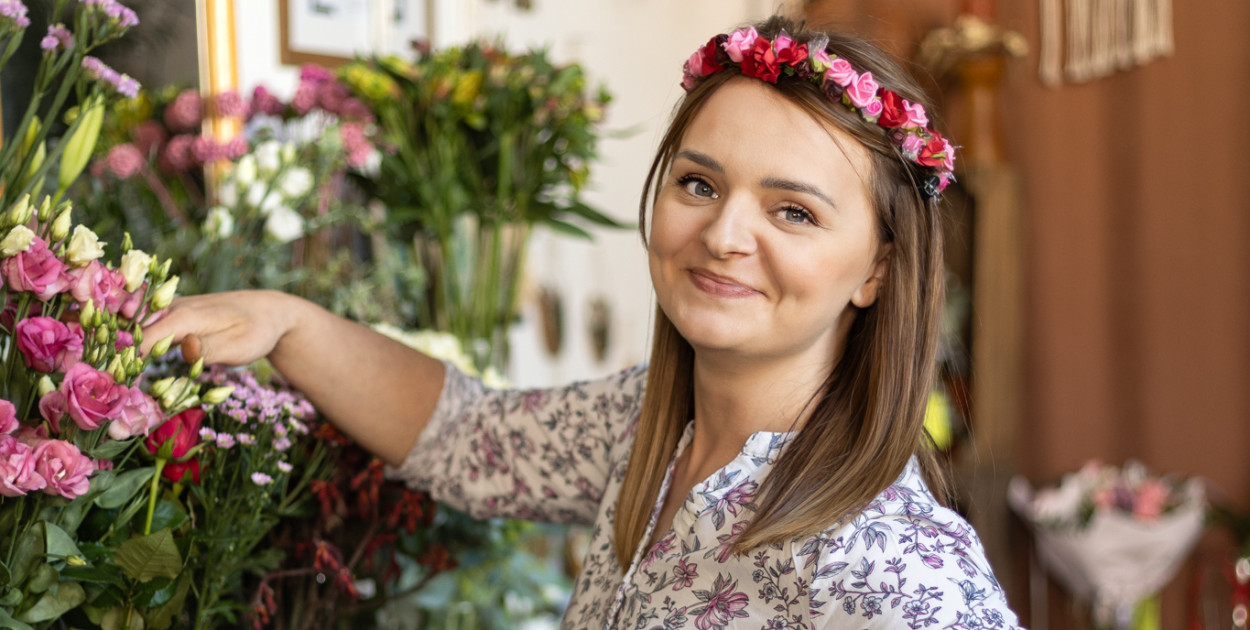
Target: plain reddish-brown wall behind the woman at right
pixel 1137 261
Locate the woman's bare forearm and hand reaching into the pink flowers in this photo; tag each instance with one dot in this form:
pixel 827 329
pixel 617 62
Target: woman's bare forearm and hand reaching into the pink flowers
pixel 376 389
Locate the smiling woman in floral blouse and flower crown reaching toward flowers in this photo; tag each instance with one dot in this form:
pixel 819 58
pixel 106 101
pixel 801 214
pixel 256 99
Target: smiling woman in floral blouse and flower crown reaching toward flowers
pixel 766 469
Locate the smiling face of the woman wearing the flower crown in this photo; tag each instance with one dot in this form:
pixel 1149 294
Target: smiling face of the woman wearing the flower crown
pixel 763 234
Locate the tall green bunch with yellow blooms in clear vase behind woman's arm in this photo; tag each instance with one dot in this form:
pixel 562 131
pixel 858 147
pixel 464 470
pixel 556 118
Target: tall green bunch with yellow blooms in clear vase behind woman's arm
pixel 481 146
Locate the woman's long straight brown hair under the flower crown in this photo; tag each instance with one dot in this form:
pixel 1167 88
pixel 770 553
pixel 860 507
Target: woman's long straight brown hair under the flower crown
pixel 868 419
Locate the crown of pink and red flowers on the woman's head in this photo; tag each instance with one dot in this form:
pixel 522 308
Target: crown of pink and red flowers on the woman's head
pixel 764 59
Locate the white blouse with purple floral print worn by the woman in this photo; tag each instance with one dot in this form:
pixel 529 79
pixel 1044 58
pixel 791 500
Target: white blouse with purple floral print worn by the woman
pixel 559 456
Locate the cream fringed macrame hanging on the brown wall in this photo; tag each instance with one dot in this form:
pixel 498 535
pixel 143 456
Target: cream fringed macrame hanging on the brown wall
pixel 1083 41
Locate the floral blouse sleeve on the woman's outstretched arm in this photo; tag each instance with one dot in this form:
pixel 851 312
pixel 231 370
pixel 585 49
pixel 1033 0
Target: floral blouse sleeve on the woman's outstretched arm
pixel 542 454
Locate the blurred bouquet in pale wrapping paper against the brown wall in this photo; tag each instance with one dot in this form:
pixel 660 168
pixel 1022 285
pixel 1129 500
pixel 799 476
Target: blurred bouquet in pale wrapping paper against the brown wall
pixel 1113 536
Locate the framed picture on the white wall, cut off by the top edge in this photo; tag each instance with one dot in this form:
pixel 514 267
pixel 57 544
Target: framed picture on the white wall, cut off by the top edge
pixel 332 33
